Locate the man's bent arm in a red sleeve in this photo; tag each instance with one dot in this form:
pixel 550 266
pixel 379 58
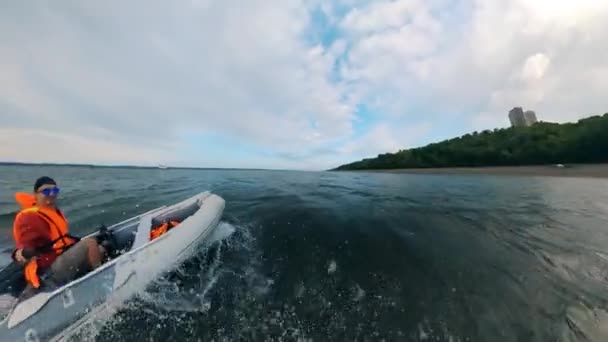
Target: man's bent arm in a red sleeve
pixel 32 232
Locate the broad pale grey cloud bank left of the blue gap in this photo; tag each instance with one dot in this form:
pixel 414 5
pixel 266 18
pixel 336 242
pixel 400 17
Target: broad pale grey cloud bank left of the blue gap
pixel 241 70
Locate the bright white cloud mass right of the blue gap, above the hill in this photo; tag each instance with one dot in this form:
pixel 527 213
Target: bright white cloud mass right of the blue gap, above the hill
pixel 479 58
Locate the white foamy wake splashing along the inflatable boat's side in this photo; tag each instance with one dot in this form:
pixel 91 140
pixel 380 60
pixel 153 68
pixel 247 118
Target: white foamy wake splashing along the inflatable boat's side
pixel 174 293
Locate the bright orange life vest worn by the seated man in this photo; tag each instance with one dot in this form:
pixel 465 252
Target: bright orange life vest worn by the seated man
pixel 58 226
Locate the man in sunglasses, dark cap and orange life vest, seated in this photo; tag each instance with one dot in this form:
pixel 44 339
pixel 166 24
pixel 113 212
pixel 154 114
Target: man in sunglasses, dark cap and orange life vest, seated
pixel 43 243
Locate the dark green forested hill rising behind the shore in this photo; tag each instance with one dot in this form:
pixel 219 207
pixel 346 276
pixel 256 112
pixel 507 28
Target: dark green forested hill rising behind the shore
pixel 585 141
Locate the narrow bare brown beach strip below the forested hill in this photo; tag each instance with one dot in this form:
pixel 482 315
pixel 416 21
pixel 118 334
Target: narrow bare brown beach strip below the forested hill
pixel 575 170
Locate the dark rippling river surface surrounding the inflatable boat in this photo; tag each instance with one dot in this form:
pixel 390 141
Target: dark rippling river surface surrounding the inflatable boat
pixel 355 256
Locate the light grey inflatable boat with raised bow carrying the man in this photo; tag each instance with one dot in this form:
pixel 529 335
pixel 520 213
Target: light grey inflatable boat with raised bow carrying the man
pixel 139 253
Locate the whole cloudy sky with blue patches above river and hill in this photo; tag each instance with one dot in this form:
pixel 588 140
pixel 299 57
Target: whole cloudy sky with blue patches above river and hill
pixel 285 84
